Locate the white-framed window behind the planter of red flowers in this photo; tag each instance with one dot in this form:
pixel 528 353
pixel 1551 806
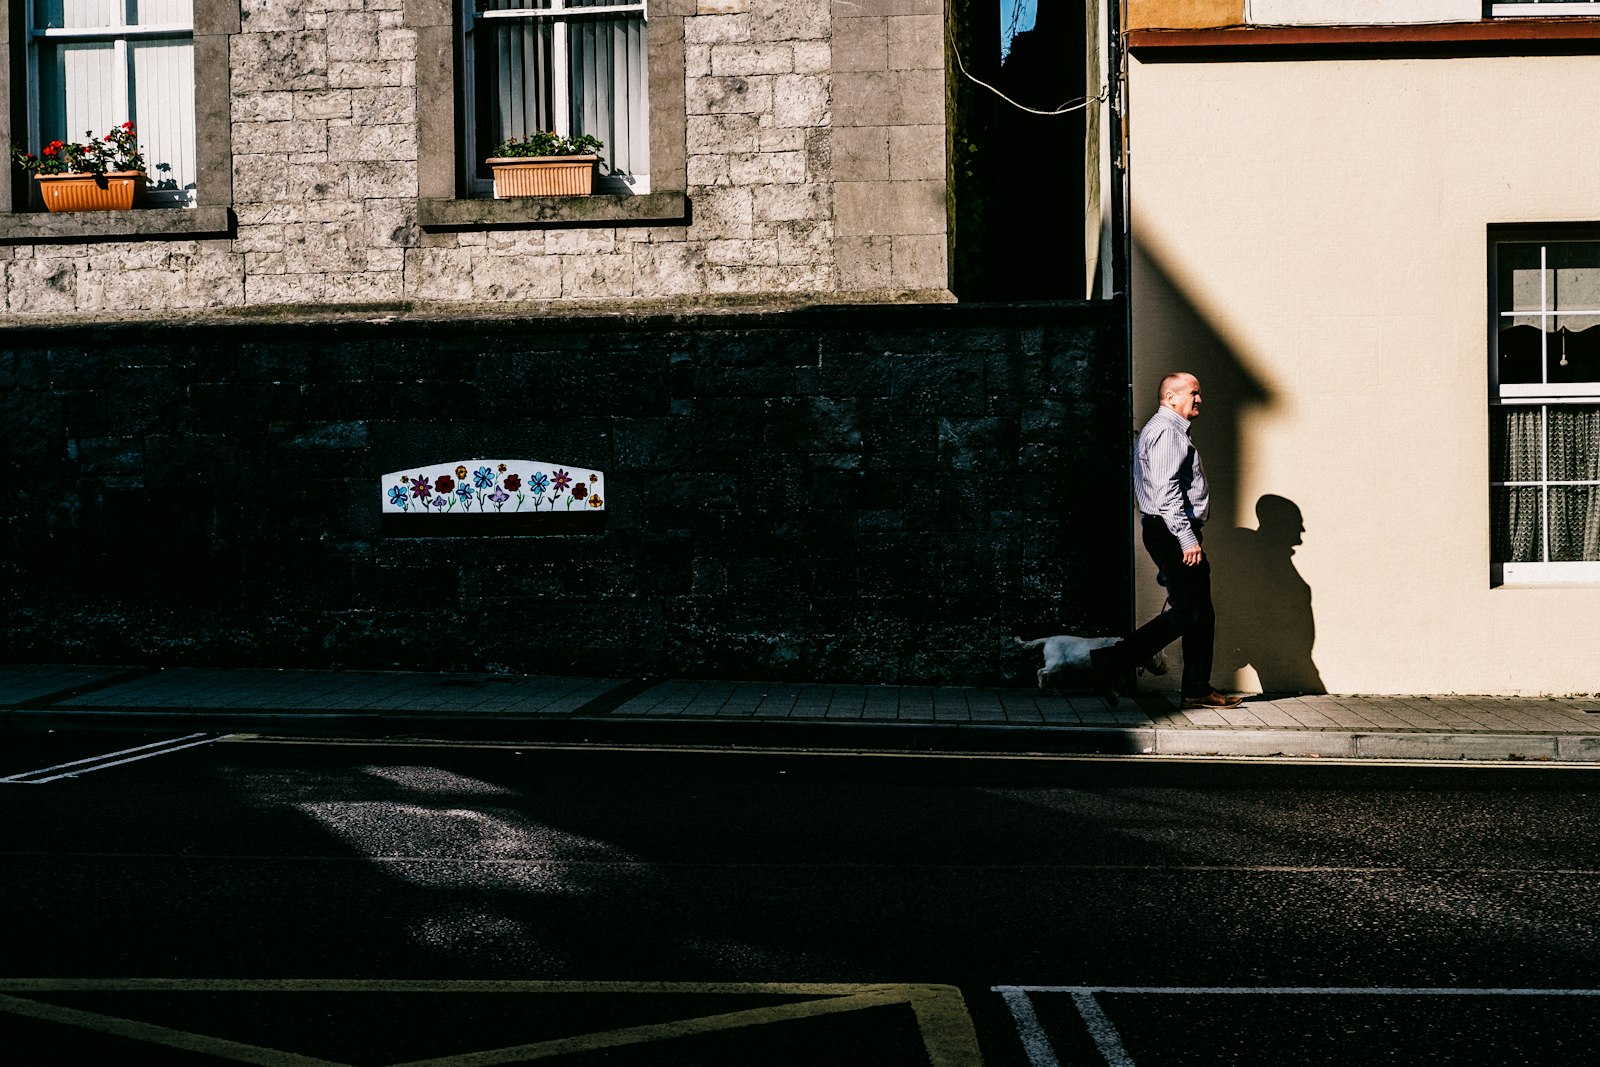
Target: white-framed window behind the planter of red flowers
pixel 95 65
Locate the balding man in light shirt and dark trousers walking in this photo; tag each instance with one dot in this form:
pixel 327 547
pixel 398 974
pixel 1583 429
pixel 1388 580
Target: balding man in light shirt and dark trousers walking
pixel 1175 502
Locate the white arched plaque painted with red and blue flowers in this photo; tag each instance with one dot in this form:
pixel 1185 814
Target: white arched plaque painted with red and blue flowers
pixel 494 487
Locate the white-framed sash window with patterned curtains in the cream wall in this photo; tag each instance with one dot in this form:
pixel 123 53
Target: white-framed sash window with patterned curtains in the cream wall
pixel 1545 417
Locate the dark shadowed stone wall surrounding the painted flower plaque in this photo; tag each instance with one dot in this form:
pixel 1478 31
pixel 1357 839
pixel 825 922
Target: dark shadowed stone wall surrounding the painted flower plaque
pixel 873 495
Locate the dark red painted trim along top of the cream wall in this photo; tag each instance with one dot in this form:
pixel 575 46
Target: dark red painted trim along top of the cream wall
pixel 1436 34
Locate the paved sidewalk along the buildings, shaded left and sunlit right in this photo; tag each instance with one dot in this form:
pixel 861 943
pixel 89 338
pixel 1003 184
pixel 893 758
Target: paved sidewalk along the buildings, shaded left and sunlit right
pixel 529 708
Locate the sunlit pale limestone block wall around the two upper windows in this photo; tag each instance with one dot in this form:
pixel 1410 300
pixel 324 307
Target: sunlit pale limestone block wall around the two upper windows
pixel 807 140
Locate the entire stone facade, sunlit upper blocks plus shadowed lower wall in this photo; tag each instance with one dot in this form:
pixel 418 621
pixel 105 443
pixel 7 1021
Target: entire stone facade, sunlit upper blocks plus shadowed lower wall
pixel 817 465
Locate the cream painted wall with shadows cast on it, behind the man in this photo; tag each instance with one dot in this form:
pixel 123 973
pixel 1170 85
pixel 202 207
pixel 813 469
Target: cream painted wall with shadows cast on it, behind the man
pixel 1311 241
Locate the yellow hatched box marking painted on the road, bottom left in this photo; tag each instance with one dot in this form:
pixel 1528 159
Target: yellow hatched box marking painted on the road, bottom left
pixel 946 1029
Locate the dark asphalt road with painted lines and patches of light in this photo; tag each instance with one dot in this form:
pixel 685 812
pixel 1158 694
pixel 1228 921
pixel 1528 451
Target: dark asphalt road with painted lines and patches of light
pixel 174 900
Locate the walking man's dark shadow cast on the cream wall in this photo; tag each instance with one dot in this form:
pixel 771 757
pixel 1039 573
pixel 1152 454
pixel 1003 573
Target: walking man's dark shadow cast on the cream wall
pixel 1265 620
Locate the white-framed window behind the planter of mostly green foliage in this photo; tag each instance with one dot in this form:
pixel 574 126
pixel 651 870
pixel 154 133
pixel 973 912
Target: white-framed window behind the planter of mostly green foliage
pixel 567 66
